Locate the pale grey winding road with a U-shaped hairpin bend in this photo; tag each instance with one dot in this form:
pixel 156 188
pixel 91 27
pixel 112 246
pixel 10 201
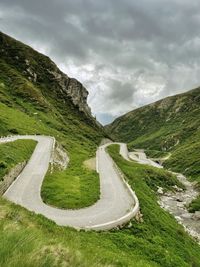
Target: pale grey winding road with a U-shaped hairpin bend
pixel 117 204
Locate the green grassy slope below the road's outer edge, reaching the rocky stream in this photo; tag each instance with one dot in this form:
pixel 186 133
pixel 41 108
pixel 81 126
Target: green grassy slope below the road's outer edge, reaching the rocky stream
pixel 32 240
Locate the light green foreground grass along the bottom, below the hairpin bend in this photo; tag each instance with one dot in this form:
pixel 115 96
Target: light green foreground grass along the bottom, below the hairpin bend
pixel 31 240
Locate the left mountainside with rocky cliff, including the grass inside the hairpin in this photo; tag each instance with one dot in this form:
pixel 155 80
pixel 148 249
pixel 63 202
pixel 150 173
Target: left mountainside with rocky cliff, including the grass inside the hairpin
pixel 37 98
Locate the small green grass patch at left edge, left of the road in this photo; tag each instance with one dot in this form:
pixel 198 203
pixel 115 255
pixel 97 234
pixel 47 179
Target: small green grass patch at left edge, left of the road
pixel 13 153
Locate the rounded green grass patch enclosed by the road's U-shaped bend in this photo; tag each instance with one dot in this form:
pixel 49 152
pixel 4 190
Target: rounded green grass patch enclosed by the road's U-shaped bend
pixel 76 187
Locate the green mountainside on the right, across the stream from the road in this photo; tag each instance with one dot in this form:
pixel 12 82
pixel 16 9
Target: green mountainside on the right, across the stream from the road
pixel 169 125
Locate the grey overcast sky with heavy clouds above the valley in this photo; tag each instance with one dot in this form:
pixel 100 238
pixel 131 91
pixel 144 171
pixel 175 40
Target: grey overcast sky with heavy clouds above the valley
pixel 126 53
